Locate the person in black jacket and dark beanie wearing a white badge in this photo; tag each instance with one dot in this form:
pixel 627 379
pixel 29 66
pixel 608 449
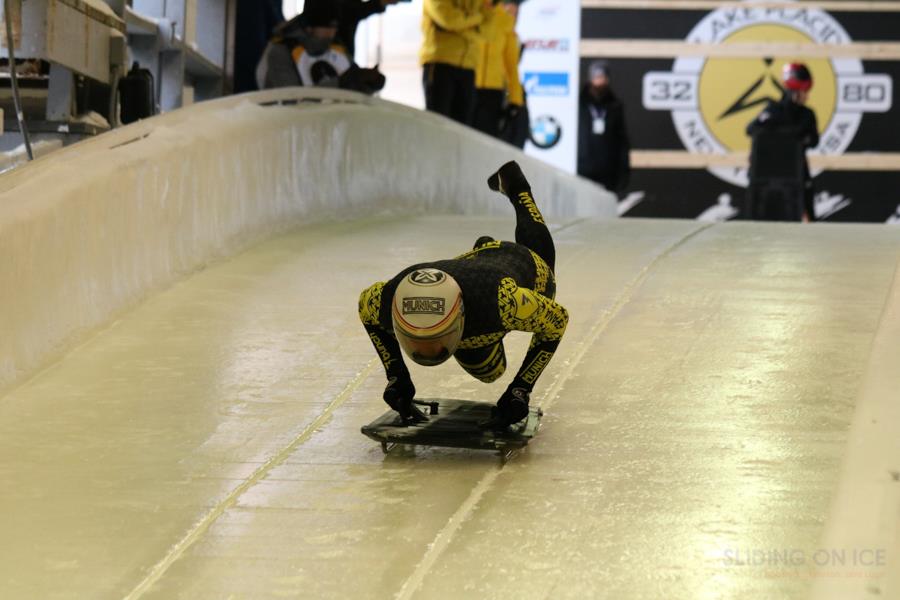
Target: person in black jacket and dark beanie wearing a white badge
pixel 603 146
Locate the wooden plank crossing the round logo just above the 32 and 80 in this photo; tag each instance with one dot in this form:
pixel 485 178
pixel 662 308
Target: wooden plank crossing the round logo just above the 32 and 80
pixel 678 48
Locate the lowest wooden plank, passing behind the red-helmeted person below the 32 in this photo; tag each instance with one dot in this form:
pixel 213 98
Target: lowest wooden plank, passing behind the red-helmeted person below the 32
pixel 679 159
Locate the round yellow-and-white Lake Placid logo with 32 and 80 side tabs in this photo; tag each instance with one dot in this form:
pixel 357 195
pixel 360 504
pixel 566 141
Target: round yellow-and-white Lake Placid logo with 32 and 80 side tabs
pixel 712 100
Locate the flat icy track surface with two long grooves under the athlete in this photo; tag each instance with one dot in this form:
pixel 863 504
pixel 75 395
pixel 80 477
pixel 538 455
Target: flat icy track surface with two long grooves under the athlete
pixel 207 445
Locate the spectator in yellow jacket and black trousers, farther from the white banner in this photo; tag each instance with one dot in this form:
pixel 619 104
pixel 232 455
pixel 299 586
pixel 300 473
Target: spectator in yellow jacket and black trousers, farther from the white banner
pixel 453 31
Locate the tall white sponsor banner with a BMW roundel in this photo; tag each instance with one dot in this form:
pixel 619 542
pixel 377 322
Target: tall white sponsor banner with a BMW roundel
pixel 550 30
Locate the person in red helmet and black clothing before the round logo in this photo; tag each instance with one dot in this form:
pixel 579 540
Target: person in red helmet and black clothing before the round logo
pixel 792 117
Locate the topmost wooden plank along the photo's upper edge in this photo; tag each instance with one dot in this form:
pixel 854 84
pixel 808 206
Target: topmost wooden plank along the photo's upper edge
pixel 830 6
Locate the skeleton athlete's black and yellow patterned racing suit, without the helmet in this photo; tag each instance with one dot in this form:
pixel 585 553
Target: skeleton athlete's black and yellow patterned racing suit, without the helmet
pixel 506 286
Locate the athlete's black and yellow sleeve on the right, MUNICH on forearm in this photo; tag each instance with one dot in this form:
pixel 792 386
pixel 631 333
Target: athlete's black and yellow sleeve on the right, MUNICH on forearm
pixel 522 309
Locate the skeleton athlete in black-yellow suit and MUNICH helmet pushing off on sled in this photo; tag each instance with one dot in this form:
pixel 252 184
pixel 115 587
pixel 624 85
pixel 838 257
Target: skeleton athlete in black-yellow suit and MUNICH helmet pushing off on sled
pixel 463 307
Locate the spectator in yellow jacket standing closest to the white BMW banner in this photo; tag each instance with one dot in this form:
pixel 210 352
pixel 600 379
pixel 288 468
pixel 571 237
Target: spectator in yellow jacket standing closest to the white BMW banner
pixel 499 93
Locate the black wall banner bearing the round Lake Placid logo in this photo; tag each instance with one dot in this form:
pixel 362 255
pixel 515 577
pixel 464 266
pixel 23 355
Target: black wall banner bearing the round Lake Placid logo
pixel 702 104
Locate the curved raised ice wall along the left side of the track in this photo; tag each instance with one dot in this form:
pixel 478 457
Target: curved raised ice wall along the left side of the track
pixel 95 228
